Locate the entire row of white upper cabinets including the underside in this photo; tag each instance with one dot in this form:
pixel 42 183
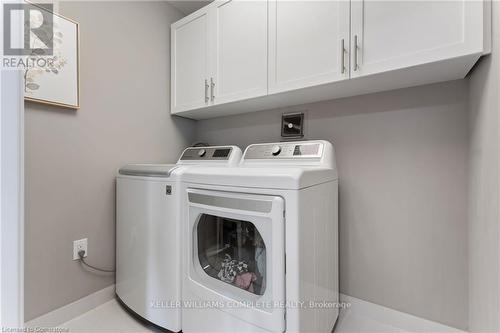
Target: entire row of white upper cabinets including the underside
pixel 239 56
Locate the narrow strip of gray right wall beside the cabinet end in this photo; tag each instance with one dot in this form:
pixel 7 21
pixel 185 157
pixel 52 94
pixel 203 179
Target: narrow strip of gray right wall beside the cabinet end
pixel 484 218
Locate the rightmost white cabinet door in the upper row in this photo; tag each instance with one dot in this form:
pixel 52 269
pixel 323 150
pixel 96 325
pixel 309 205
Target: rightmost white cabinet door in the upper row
pixel 389 35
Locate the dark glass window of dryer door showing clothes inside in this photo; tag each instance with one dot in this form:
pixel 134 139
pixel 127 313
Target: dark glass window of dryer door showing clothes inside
pixel 232 251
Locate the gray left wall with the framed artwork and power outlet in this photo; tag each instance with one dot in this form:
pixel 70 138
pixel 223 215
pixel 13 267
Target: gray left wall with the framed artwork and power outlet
pixel 72 156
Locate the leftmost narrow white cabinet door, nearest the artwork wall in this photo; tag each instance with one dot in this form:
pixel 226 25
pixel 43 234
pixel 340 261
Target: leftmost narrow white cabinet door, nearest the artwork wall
pixel 189 84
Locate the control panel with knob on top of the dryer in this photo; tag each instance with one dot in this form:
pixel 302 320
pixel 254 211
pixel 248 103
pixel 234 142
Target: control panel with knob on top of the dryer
pixel 284 150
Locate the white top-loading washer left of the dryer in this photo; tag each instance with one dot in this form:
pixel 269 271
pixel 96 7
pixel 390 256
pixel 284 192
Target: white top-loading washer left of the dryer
pixel 148 266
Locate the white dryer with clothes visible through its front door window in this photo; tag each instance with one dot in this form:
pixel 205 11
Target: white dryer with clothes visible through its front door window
pixel 261 242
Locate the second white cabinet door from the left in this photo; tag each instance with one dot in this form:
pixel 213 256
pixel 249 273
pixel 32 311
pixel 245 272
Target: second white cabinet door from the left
pixel 240 50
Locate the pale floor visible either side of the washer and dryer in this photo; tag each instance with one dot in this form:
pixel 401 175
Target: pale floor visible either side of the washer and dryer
pixel 112 317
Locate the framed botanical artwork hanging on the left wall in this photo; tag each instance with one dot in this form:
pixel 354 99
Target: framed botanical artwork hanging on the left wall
pixel 58 82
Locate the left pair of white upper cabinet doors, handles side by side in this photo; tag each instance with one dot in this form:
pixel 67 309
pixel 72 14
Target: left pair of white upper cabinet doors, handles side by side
pixel 219 55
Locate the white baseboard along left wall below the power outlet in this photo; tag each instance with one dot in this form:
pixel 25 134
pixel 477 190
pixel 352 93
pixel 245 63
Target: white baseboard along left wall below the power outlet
pixel 73 310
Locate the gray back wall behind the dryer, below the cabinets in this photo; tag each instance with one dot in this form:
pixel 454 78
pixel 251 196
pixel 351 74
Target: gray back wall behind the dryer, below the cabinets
pixel 402 159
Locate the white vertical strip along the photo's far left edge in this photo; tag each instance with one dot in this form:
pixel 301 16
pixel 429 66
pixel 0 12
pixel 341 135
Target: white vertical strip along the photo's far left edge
pixel 11 205
